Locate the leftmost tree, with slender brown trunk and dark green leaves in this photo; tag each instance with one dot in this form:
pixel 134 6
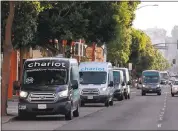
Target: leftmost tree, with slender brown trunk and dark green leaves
pixel 20 19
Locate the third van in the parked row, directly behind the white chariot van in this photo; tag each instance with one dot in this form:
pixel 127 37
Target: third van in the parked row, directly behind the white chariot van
pixel 118 85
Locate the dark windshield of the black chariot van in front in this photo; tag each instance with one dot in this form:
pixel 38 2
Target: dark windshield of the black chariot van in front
pixel 45 77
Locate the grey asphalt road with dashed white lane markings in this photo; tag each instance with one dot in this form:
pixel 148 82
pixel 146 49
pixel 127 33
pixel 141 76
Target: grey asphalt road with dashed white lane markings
pixel 149 112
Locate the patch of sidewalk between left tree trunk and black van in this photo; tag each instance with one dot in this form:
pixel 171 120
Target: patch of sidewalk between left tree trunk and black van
pixel 12 111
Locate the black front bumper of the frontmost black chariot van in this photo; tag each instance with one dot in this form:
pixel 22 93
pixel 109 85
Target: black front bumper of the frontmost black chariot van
pixel 51 108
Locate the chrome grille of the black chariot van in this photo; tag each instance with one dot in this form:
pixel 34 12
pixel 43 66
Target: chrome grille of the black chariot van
pixel 42 98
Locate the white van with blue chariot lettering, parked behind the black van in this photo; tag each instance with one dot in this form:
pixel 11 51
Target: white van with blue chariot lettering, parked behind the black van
pixel 96 83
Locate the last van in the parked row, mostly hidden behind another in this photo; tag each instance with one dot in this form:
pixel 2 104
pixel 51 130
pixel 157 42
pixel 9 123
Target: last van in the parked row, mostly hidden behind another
pixel 127 82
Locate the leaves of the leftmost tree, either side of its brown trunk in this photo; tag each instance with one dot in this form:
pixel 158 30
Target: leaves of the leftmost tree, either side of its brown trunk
pixel 25 21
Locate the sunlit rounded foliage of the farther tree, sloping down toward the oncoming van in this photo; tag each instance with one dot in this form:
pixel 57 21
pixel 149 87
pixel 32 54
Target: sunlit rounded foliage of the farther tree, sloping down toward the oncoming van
pixel 144 55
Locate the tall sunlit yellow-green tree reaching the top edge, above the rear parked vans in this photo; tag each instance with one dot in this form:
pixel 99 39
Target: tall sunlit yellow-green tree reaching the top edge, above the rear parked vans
pixel 119 47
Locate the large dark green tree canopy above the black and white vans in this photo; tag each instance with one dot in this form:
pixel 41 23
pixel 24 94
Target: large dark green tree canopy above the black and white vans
pixel 74 20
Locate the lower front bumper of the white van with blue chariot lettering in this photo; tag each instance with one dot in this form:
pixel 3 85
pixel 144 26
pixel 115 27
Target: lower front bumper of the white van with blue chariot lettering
pixel 95 99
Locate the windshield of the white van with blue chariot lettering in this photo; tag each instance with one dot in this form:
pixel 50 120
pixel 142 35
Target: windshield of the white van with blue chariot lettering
pixel 93 77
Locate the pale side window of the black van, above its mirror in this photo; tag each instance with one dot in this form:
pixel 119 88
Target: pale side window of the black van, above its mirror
pixel 74 75
